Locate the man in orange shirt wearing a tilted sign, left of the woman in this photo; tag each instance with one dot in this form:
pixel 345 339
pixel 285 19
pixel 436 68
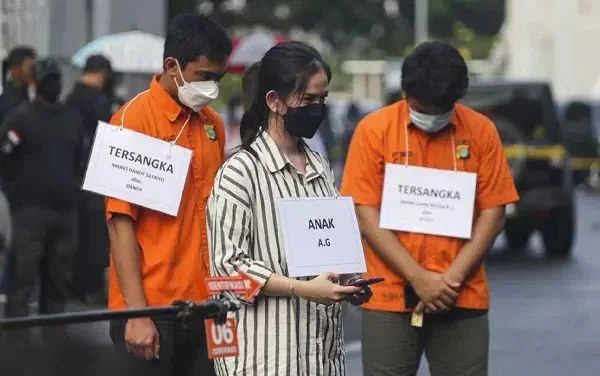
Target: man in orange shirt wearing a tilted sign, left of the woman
pixel 155 258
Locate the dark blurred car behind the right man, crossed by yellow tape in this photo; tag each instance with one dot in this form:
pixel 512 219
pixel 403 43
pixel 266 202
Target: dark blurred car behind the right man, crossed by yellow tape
pixel 527 120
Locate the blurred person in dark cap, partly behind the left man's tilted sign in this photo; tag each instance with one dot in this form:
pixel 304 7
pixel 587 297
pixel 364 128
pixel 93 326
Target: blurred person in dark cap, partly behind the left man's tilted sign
pixel 89 97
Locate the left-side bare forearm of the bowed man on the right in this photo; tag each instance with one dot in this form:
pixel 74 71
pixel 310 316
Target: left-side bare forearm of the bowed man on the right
pixel 386 244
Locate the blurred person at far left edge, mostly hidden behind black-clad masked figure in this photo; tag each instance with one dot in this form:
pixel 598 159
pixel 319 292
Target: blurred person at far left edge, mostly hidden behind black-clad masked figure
pixel 17 82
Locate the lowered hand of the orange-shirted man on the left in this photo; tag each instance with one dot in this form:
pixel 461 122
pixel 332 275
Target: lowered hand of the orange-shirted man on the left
pixel 141 338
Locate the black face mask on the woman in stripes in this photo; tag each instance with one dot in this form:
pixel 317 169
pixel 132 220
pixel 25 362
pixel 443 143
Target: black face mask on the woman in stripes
pixel 304 121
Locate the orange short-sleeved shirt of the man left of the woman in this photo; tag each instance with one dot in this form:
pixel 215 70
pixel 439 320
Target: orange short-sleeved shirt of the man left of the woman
pixel 173 250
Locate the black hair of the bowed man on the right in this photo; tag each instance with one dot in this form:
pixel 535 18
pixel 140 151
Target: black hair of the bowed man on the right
pixel 435 74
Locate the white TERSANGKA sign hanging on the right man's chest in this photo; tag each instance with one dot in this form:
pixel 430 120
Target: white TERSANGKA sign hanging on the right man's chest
pixel 428 201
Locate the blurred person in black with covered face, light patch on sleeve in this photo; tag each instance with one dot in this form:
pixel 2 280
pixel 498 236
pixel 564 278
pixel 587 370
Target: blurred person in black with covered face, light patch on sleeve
pixel 44 141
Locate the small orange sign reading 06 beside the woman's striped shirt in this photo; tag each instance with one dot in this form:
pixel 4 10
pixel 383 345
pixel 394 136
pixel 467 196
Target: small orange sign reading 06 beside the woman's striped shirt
pixel 221 340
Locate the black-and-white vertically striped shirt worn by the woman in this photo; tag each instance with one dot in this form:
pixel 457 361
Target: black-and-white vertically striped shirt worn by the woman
pixel 278 336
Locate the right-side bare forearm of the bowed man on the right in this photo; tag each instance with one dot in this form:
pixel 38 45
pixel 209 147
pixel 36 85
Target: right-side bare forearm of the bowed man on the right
pixel 487 227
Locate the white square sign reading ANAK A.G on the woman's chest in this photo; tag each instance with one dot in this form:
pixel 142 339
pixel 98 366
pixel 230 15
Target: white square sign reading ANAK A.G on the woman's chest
pixel 321 235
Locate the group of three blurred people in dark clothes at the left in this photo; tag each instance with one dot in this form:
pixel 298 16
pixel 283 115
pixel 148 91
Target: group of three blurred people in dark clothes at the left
pixel 58 238
